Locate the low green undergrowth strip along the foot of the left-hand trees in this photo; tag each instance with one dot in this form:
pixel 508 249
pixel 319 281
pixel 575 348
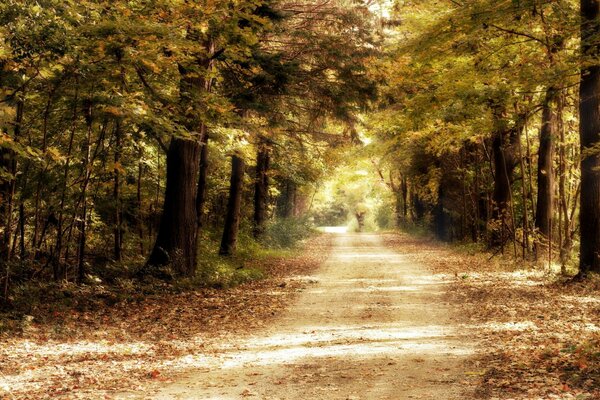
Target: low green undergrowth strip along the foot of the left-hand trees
pixel 112 283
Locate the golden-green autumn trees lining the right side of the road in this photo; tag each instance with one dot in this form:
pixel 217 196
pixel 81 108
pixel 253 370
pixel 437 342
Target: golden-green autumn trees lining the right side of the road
pixel 489 108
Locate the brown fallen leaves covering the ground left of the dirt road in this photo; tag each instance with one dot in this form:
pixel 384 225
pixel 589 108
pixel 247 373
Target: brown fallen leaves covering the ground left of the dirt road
pixel 136 345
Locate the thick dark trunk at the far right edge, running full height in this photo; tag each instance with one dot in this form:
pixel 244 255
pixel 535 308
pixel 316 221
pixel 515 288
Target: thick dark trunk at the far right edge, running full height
pixel 589 133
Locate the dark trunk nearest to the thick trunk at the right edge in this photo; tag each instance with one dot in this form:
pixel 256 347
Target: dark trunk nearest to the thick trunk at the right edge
pixel 545 173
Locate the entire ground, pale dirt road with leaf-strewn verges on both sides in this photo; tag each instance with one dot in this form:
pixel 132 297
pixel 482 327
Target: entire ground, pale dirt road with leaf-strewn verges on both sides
pixel 387 316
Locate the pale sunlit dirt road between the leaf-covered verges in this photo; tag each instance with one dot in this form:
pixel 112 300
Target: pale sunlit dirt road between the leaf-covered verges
pixel 372 325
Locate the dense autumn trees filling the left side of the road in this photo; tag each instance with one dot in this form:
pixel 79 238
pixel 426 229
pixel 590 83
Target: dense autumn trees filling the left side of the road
pixel 119 120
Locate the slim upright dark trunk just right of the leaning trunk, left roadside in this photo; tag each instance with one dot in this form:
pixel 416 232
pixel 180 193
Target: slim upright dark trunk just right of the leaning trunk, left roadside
pixel 261 189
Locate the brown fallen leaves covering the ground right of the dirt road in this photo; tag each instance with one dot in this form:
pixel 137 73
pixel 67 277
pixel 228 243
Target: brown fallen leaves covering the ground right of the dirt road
pixel 538 339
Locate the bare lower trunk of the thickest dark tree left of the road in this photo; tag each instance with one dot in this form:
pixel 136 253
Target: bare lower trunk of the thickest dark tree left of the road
pixel 176 240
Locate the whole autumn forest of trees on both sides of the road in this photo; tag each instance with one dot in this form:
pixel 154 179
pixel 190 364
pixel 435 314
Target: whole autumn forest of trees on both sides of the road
pixel 136 132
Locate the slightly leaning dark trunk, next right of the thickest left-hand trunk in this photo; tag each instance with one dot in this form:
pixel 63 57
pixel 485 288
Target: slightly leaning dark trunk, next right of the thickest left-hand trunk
pixel 232 219
